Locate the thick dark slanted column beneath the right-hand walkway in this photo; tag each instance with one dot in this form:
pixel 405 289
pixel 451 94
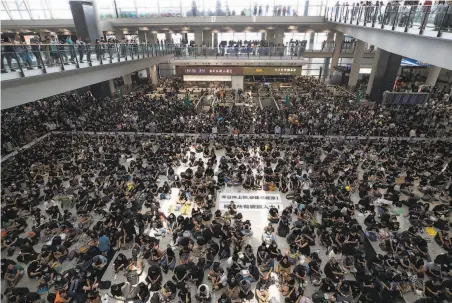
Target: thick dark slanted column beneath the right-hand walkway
pixel 386 72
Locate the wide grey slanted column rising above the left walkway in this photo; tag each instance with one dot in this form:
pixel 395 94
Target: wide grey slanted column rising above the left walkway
pixel 85 19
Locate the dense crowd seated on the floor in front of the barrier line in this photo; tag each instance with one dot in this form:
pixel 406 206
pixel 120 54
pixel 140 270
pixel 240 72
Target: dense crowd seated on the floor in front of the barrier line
pixel 87 202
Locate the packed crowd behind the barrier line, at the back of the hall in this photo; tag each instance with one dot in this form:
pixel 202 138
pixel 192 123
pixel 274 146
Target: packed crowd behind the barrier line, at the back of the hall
pixel 314 109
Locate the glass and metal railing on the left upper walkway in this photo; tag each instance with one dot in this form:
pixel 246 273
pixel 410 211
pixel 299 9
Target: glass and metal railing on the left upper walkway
pixel 22 60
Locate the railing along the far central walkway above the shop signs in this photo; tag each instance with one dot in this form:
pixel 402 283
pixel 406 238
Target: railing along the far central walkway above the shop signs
pixel 260 52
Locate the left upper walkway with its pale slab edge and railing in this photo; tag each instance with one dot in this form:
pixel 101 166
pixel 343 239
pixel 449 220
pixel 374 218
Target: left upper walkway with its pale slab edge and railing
pixel 37 73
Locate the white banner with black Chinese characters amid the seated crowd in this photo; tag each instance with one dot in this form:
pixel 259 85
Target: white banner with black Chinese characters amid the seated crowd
pixel 250 201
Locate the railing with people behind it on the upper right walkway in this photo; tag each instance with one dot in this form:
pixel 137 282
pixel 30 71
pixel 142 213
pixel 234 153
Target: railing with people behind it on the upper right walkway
pixel 428 20
